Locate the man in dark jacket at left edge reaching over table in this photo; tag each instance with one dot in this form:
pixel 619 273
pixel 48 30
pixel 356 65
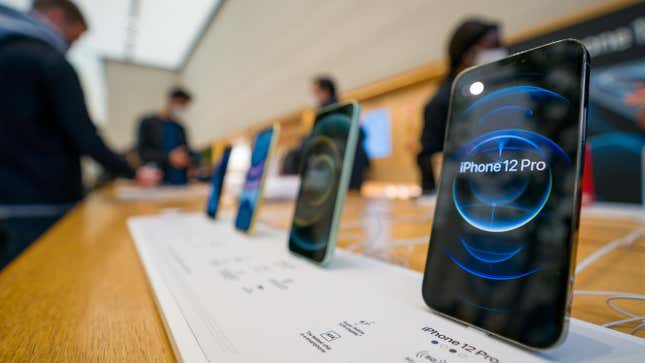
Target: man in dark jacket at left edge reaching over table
pixel 45 127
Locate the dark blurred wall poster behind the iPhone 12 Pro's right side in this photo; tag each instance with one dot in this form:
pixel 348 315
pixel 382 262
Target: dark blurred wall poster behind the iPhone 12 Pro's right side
pixel 616 123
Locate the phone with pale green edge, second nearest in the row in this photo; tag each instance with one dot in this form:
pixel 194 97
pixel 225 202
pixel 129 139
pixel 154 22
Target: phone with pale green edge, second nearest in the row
pixel 327 160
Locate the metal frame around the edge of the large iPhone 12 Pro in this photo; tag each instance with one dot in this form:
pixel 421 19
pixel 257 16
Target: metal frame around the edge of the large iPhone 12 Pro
pixel 577 190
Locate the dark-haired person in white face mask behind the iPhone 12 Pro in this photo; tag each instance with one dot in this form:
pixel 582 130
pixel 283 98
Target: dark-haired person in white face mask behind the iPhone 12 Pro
pixel 474 42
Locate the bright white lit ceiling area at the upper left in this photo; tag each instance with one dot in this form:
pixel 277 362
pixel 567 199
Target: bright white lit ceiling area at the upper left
pixel 162 35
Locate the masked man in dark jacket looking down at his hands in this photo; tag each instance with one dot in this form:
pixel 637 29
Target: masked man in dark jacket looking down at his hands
pixel 162 141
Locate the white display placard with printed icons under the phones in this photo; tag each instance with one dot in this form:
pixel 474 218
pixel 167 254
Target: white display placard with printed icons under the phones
pixel 228 297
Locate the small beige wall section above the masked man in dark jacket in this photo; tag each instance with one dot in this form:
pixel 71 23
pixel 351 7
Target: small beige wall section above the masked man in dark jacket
pixel 133 91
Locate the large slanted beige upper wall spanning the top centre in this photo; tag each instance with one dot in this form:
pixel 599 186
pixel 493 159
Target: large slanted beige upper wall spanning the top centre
pixel 257 57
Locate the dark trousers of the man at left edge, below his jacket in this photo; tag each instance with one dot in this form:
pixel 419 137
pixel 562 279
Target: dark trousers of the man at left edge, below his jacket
pixel 16 234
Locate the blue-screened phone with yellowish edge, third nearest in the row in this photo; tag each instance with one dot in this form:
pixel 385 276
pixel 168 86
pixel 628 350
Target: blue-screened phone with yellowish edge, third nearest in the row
pixel 251 197
